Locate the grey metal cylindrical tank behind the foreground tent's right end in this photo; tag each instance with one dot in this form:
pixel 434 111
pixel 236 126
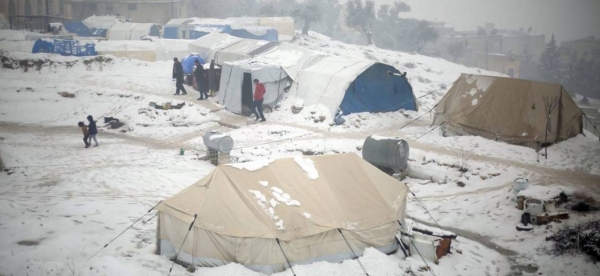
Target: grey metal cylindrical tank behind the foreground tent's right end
pixel 391 153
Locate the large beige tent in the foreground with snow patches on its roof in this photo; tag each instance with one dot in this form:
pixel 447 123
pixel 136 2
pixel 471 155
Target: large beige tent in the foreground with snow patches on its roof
pixel 242 209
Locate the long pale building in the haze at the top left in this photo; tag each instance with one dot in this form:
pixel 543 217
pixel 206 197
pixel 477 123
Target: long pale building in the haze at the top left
pixel 143 11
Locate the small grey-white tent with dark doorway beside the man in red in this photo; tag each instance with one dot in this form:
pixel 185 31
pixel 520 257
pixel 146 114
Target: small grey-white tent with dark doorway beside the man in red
pixel 236 88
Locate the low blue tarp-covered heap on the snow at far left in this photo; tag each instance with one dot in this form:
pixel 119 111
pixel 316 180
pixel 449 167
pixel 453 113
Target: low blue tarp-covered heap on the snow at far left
pixel 64 47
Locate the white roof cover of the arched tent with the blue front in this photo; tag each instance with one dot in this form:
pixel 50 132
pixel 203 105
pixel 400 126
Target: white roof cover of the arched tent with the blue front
pixel 325 79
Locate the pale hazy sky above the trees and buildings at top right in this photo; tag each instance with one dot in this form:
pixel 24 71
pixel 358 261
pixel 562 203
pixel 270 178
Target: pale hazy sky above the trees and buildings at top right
pixel 567 19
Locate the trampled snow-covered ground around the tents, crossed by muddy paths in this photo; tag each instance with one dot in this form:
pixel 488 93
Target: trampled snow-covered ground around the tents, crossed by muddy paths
pixel 60 203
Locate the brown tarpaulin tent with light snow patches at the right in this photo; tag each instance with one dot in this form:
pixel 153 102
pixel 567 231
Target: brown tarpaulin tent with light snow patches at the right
pixel 515 111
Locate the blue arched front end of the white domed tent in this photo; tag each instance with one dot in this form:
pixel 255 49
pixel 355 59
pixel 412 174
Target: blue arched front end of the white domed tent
pixel 375 91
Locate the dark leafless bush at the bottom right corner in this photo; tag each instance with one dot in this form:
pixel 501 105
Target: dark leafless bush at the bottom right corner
pixel 584 238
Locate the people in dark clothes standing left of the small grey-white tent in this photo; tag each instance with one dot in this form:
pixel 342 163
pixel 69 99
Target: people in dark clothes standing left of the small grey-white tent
pixel 202 78
